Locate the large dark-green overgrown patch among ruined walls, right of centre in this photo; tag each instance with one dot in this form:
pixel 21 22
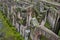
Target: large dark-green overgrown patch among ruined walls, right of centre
pixel 39 15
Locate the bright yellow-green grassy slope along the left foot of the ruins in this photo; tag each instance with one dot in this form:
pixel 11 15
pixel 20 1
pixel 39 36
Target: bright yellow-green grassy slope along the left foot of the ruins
pixel 8 32
